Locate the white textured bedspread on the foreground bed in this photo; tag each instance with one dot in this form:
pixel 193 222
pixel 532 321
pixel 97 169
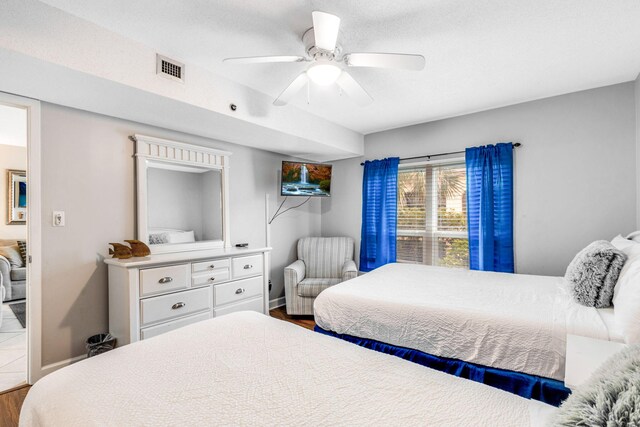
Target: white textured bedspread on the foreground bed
pixel 249 369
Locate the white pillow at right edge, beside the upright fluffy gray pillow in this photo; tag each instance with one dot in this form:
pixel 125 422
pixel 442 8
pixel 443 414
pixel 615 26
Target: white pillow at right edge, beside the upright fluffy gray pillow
pixel 626 297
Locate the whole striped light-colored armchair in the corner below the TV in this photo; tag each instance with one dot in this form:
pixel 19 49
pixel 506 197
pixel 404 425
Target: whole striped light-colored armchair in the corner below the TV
pixel 322 262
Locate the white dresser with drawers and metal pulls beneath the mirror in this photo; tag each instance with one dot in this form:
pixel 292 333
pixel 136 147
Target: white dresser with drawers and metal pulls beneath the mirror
pixel 156 294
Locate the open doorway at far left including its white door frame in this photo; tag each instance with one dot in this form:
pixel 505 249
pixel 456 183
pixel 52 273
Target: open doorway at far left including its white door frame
pixel 20 226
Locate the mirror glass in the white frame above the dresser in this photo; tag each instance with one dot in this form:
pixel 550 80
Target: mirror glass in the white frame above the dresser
pixel 184 204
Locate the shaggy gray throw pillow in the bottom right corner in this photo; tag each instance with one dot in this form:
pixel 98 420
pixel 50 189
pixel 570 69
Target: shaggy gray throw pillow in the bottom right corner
pixel 611 397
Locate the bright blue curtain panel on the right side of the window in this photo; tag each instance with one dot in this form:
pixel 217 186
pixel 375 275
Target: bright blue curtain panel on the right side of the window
pixel 490 207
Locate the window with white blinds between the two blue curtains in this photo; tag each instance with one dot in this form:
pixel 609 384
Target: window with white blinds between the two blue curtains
pixel 432 215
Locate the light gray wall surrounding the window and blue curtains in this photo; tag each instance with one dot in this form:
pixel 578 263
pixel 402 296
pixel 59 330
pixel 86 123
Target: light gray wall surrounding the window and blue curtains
pixel 575 176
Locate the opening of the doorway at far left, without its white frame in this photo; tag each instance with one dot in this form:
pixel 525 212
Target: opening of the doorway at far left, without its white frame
pixel 13 246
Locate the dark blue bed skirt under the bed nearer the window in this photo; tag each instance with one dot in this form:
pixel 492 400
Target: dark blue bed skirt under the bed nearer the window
pixel 546 390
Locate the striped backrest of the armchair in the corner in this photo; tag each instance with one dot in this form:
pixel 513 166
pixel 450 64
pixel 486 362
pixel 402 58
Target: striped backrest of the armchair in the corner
pixel 325 256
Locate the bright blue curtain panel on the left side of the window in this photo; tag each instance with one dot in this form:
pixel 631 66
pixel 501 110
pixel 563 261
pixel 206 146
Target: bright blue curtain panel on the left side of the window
pixel 379 213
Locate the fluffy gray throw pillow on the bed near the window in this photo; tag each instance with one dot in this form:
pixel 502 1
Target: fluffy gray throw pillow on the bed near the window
pixel 593 274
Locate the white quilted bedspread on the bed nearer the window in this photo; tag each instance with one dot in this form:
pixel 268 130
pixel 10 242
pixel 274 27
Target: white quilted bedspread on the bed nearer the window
pixel 510 321
